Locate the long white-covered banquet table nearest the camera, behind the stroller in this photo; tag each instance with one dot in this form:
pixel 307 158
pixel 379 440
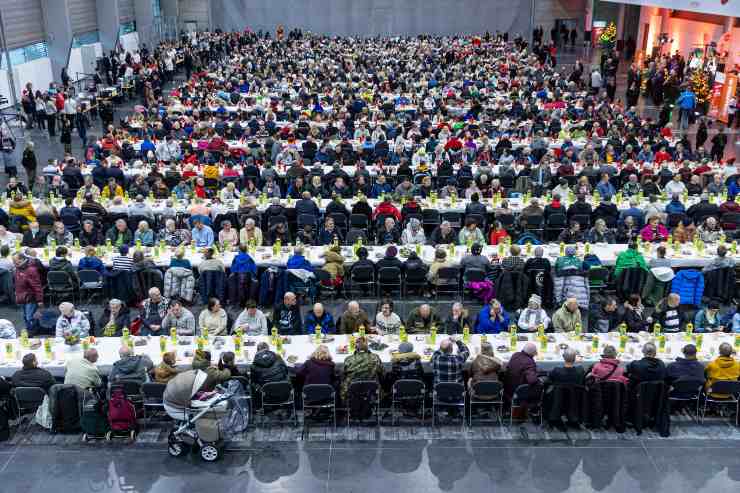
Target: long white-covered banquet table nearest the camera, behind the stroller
pixel 299 349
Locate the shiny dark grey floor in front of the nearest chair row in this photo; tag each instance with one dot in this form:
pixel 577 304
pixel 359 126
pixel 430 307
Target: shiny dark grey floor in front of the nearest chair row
pixel 410 466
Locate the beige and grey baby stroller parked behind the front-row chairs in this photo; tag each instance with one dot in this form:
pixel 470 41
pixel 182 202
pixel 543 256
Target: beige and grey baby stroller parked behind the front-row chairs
pixel 202 419
